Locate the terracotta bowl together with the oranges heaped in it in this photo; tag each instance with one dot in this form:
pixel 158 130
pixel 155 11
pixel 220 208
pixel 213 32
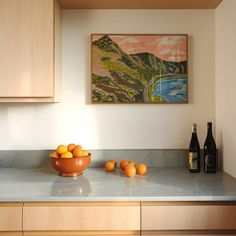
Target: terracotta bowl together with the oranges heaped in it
pixel 70 160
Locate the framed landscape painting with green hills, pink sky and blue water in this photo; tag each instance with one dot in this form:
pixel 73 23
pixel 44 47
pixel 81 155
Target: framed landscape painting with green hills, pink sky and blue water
pixel 134 68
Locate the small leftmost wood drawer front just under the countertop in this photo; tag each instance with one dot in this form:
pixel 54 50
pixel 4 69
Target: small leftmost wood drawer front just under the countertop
pixel 10 217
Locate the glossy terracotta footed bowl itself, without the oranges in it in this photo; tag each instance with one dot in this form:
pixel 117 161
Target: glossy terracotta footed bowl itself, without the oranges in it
pixel 70 166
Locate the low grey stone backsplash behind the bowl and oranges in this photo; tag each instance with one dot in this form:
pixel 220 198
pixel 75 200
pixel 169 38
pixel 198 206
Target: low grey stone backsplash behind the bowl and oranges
pixel 152 157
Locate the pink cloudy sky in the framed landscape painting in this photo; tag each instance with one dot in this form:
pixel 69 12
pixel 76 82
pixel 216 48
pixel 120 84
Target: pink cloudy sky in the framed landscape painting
pixel 166 47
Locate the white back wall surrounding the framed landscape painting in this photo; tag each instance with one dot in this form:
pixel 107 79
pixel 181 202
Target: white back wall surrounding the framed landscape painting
pixel 118 126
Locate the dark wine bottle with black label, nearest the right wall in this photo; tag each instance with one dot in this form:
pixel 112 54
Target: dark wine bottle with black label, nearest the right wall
pixel 210 153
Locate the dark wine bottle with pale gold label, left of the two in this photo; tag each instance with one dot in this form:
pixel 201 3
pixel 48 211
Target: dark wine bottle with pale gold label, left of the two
pixel 194 156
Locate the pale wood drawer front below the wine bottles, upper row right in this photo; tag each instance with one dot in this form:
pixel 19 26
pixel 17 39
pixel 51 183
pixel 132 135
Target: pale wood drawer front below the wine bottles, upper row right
pixel 188 217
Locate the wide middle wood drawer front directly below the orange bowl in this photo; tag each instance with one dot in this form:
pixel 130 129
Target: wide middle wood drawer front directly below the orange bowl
pixel 81 217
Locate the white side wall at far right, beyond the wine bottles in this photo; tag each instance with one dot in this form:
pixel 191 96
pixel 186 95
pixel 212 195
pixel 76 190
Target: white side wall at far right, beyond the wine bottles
pixel 226 83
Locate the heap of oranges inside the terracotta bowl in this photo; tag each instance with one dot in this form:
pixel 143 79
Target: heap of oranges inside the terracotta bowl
pixel 69 151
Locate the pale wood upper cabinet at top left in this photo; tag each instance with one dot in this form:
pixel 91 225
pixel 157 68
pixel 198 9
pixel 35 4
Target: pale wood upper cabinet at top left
pixel 30 50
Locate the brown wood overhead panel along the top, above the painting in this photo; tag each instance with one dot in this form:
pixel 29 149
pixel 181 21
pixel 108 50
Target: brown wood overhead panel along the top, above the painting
pixel 140 4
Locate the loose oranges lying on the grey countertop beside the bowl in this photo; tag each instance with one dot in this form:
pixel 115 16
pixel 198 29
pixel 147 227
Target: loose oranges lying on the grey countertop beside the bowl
pixel 129 167
